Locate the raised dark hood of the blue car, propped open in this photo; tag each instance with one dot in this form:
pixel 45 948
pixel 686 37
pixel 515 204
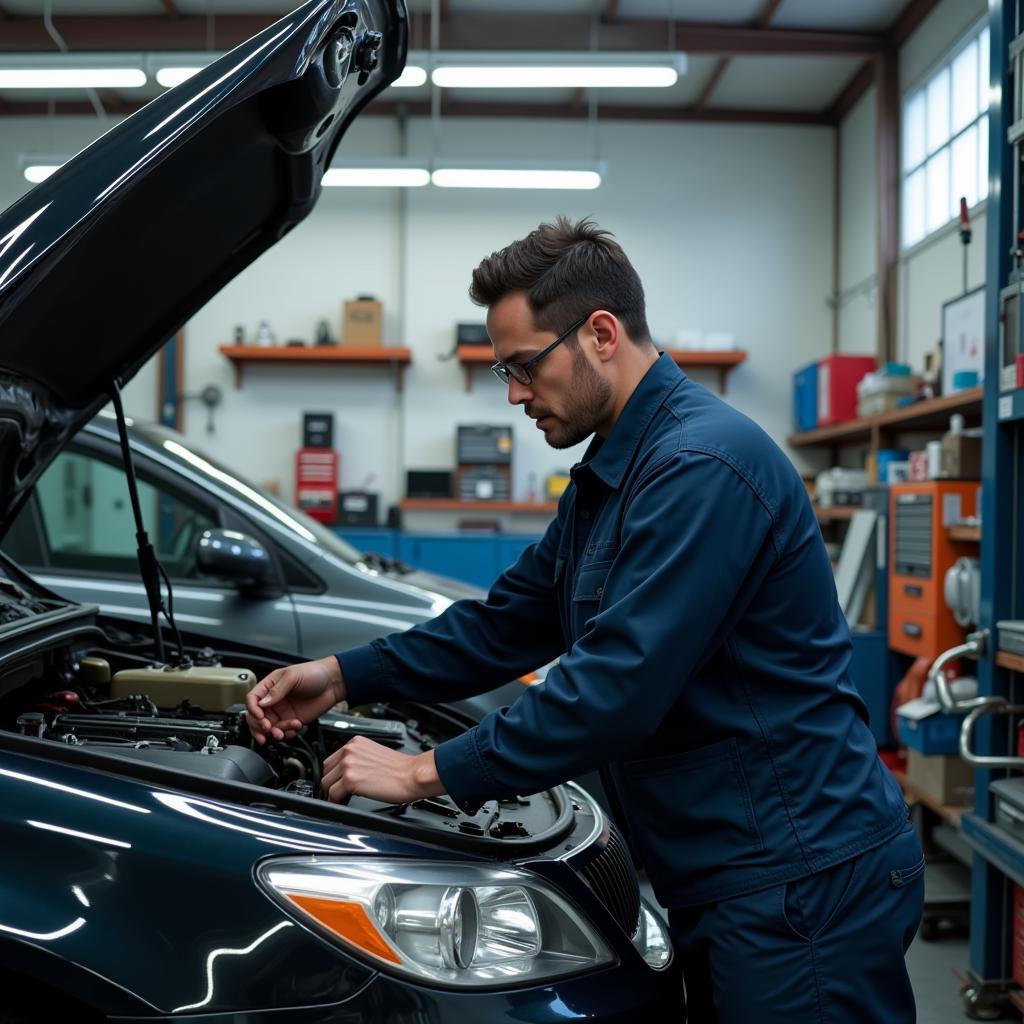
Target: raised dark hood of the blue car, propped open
pixel 105 261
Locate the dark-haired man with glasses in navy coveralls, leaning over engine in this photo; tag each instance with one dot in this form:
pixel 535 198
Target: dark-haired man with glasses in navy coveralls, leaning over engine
pixel 703 663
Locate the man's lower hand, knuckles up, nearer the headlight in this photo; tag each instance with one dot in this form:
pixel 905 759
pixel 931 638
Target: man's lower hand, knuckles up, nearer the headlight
pixel 376 772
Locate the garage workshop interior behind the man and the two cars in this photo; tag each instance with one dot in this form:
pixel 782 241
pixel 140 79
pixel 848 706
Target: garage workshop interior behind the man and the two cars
pixel 822 202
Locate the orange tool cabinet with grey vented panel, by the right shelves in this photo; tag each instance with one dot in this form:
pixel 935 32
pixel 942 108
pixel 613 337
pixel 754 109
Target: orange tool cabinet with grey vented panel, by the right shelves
pixel 920 553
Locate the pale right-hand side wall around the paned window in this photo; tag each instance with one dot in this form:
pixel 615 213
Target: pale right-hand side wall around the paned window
pixel 931 273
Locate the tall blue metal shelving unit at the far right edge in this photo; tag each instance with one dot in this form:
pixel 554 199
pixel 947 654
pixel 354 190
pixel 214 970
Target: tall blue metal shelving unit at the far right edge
pixel 998 862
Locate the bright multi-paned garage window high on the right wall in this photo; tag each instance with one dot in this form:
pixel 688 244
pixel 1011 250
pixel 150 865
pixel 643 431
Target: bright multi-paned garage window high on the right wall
pixel 946 141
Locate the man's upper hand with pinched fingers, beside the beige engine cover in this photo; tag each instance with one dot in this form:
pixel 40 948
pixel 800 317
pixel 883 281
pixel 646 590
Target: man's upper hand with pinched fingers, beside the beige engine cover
pixel 286 700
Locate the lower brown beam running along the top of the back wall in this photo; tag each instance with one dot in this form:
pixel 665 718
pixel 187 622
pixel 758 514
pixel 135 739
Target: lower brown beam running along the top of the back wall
pixel 454 109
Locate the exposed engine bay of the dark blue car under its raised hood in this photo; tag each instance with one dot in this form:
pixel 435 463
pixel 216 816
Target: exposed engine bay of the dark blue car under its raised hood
pixel 122 704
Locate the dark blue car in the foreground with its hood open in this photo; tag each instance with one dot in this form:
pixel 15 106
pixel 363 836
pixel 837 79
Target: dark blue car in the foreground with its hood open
pixel 157 866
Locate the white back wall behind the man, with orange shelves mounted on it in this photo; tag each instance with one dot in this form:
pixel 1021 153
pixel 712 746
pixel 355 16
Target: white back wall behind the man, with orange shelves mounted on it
pixel 730 227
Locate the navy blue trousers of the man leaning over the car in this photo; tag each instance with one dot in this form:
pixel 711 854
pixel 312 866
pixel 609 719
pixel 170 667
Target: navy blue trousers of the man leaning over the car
pixel 825 950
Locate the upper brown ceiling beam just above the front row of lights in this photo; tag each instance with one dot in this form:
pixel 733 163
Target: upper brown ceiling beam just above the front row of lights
pixel 497 31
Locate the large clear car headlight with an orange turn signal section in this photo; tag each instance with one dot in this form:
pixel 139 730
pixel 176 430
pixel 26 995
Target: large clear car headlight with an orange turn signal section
pixel 453 924
